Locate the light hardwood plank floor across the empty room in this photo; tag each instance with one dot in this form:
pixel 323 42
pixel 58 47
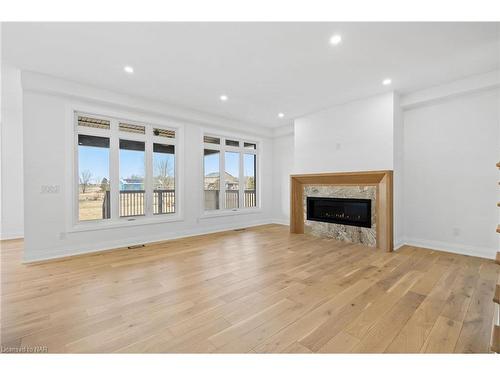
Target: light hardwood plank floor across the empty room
pixel 259 290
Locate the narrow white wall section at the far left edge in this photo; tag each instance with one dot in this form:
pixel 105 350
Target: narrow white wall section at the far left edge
pixel 12 225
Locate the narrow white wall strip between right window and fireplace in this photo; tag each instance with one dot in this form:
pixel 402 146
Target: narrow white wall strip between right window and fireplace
pixel 283 151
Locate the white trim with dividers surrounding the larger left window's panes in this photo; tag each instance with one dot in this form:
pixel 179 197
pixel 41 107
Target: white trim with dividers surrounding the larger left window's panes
pixel 75 225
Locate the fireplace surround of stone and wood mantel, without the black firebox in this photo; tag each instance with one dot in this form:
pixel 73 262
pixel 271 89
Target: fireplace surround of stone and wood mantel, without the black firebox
pixel 374 184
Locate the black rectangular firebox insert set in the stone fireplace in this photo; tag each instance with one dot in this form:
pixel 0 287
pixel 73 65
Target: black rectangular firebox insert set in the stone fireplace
pixel 347 211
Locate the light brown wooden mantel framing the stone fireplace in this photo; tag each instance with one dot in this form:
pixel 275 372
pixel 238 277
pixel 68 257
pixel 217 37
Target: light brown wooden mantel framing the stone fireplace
pixel 381 179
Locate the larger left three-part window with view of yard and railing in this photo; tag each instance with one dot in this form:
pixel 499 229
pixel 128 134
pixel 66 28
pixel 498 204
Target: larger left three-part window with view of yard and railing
pixel 124 169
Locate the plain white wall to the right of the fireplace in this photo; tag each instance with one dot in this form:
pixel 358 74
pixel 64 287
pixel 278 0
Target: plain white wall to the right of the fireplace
pixel 450 179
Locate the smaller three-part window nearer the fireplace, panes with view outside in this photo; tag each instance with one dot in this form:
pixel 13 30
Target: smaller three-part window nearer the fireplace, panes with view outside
pixel 237 187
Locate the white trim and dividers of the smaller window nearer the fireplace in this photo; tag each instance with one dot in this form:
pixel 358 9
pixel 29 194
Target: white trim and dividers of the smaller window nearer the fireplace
pixel 221 212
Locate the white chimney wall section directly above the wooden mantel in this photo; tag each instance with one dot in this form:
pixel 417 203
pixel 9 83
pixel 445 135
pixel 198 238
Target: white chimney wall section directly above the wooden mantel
pixel 357 136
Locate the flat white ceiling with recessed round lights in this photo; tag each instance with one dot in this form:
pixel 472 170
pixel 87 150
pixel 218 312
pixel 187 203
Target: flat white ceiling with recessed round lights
pixel 264 68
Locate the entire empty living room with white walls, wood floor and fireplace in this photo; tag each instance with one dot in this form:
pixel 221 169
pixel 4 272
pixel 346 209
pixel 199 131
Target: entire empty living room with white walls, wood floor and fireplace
pixel 250 187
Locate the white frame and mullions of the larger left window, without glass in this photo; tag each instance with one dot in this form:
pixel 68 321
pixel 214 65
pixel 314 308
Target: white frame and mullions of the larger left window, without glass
pixel 114 135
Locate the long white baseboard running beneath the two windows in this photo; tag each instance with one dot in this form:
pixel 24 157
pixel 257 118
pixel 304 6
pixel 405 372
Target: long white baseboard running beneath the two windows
pixel 118 244
